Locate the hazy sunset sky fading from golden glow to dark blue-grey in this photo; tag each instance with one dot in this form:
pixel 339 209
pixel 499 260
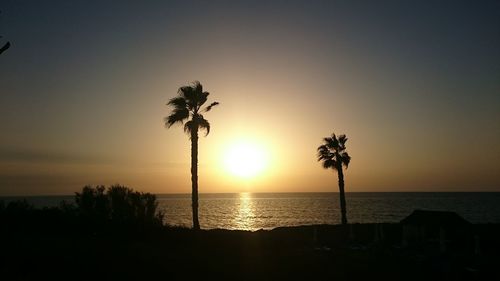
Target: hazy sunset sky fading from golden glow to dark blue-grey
pixel 415 86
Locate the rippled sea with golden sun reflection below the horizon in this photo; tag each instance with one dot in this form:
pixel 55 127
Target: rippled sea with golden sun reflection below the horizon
pixel 253 211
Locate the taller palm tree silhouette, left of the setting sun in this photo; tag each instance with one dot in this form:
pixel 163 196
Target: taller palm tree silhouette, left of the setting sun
pixel 187 106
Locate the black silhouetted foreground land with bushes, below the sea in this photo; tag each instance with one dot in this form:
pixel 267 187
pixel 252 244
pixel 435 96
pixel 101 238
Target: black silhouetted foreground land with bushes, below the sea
pixel 117 234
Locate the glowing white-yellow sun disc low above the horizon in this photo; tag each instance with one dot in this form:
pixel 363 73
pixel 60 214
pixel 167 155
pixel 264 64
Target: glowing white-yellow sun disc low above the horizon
pixel 245 160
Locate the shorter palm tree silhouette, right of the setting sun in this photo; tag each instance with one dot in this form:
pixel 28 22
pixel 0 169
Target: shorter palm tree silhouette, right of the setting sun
pixel 333 155
